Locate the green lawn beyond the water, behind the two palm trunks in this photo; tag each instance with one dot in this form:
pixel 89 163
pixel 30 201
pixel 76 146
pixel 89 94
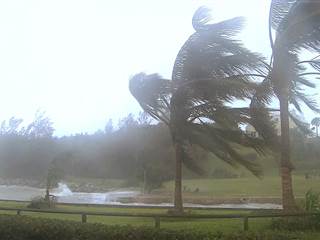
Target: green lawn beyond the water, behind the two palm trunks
pixel 269 186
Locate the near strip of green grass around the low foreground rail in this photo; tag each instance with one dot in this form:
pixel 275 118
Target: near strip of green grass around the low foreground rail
pixel 207 225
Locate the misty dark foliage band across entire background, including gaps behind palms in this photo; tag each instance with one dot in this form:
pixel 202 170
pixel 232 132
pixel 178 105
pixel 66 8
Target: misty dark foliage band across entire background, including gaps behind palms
pixel 116 156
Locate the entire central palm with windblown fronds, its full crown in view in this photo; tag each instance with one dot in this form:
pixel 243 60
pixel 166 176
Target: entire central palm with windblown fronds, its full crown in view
pixel 211 70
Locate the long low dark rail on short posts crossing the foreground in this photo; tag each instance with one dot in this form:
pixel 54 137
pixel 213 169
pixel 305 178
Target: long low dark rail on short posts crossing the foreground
pixel 157 217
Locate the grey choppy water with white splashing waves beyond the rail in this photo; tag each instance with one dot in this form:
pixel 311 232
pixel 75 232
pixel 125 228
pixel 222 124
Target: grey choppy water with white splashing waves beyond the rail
pixel 65 195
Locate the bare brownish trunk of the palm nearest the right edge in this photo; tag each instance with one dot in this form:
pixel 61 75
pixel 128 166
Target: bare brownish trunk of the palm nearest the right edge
pixel 288 201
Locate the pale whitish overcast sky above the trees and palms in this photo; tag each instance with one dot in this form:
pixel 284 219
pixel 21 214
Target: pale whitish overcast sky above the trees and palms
pixel 73 58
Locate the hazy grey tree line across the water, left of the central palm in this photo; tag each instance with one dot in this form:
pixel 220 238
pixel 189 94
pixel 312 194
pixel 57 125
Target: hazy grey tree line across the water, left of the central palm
pixel 133 150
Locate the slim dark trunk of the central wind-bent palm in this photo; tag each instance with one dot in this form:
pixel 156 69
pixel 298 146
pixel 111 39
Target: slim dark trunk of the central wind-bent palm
pixel 178 204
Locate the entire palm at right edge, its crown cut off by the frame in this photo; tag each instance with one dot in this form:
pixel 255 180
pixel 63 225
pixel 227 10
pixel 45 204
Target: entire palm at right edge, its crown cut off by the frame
pixel 295 25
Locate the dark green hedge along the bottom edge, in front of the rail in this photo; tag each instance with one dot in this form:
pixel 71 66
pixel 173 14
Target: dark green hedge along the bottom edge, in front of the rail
pixel 27 228
